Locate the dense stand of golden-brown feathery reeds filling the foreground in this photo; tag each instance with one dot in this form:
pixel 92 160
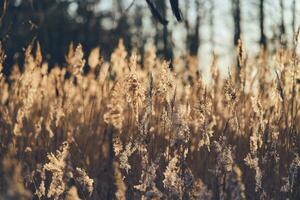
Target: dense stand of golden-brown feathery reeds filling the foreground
pixel 126 130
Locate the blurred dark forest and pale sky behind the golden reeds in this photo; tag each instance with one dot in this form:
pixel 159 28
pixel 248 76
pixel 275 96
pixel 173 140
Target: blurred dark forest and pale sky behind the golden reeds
pixel 208 26
